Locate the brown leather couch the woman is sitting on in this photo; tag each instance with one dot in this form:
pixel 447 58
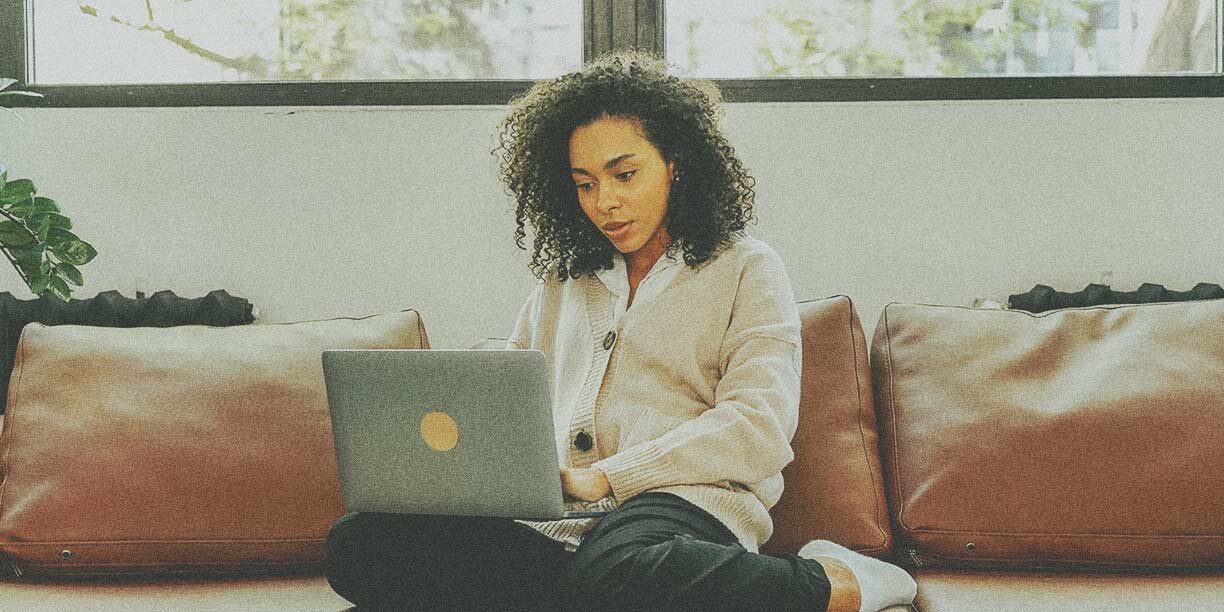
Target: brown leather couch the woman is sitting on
pixel 1012 462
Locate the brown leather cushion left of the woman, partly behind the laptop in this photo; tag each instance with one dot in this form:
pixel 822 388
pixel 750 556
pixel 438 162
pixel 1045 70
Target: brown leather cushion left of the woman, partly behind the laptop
pixel 183 449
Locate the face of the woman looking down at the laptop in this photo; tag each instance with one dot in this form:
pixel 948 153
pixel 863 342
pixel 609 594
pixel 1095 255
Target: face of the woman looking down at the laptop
pixel 622 179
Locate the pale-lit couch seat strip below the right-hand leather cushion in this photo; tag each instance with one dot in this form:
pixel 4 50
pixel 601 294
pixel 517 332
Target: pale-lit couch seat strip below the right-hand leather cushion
pixel 948 591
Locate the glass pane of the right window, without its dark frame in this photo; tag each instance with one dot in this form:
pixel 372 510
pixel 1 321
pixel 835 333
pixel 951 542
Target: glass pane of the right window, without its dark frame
pixel 942 39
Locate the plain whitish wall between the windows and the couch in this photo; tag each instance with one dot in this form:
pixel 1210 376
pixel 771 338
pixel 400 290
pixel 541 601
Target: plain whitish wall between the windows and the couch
pixel 319 212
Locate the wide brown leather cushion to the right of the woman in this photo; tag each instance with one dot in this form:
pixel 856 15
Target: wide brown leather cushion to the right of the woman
pixel 1084 436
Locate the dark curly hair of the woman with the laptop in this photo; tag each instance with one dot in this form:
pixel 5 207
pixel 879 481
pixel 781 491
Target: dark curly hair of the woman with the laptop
pixel 712 201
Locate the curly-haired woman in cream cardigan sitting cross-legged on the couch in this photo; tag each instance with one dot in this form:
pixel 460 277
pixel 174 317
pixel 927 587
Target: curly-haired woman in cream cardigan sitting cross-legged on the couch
pixel 674 347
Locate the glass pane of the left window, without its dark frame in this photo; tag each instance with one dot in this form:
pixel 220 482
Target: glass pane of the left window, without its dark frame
pixel 105 42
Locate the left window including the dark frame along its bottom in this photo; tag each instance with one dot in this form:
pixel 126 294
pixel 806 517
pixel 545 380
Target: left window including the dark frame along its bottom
pixel 118 53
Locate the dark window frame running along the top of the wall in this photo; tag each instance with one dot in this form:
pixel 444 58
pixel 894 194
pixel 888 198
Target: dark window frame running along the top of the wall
pixel 608 25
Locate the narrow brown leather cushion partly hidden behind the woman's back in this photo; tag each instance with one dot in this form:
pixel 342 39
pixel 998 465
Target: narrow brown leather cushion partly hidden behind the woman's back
pixel 834 487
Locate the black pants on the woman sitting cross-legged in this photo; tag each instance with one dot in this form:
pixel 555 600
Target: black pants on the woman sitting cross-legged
pixel 657 553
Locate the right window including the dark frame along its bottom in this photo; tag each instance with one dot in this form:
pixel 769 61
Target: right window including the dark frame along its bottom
pixel 949 50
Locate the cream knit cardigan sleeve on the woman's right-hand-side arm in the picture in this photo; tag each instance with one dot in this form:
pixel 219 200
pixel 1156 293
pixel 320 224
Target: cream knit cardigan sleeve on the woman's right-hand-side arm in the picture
pixel 746 435
